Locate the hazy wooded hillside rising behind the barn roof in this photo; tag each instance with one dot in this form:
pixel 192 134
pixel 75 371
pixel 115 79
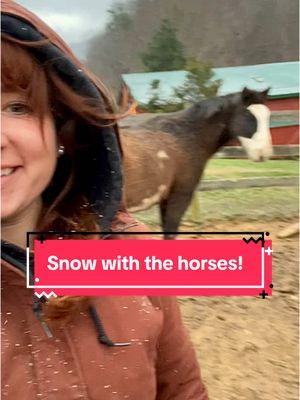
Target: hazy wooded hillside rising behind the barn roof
pixel 214 32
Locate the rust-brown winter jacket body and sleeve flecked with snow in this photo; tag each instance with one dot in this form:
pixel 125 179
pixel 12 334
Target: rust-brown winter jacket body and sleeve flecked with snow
pixel 159 364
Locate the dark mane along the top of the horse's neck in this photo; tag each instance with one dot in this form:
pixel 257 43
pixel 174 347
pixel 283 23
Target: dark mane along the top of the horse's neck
pixel 195 114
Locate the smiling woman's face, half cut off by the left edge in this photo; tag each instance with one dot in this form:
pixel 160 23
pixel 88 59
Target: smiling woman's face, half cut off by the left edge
pixel 28 154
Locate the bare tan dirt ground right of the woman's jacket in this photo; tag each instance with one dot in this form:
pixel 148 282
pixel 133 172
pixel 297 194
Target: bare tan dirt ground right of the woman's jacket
pixel 247 346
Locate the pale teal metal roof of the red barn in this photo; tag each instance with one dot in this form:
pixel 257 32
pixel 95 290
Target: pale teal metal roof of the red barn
pixel 283 78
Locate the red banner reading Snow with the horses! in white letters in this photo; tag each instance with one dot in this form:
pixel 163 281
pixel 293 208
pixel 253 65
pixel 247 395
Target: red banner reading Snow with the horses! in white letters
pixel 236 267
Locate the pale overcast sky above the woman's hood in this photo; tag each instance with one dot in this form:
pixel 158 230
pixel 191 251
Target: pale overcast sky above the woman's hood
pixel 74 20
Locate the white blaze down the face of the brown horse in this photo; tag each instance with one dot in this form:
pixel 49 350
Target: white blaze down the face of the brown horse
pixel 259 147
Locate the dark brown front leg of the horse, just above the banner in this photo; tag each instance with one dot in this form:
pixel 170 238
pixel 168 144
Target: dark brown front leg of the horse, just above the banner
pixel 172 210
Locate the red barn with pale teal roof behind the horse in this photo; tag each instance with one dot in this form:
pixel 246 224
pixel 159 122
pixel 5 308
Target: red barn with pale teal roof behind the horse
pixel 282 78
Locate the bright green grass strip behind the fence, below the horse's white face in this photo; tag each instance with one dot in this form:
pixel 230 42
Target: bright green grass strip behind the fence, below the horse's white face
pixel 230 169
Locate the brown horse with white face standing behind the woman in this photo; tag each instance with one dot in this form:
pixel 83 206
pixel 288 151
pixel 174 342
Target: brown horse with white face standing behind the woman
pixel 165 155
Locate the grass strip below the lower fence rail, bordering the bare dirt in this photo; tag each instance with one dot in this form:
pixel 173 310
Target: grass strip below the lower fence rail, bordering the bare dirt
pixel 253 204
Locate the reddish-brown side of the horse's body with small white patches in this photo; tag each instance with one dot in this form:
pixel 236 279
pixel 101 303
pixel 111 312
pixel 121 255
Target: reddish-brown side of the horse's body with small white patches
pixel 149 166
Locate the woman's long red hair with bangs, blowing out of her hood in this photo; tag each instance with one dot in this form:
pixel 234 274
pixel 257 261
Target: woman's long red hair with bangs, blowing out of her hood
pixel 64 208
